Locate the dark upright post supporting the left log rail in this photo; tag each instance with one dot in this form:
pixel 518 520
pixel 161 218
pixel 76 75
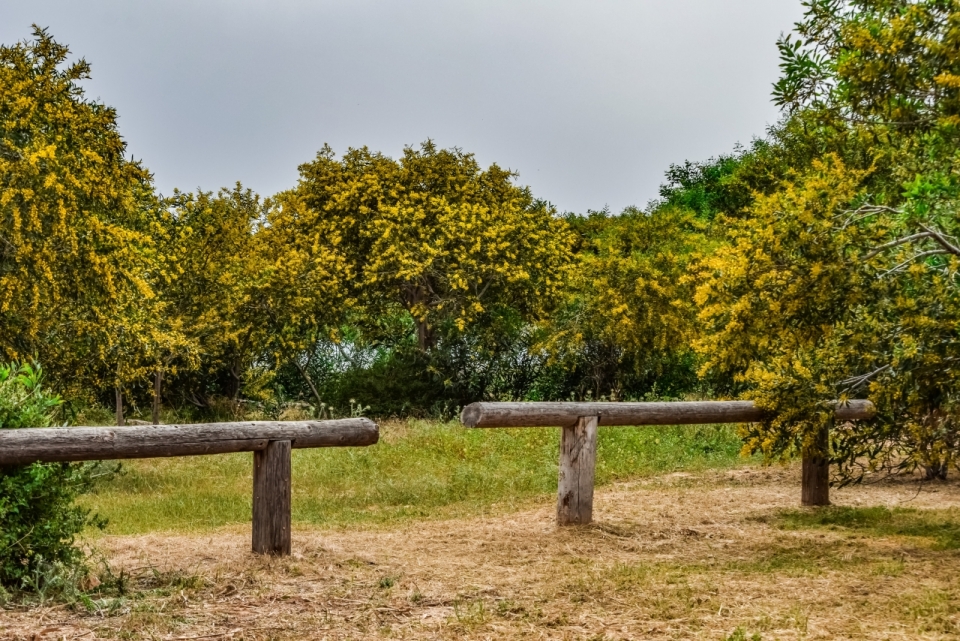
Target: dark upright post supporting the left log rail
pixel 271 499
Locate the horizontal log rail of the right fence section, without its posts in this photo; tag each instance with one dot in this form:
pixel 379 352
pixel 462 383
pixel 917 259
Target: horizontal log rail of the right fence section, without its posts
pixel 670 413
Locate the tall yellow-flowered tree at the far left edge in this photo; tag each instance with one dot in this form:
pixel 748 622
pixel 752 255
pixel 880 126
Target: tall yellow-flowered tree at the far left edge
pixel 75 255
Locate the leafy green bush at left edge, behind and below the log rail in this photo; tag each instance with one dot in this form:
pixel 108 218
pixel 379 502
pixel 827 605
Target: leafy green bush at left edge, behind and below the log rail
pixel 40 520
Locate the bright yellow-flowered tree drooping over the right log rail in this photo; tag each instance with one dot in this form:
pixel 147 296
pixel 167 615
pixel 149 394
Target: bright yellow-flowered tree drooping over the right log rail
pixel 774 302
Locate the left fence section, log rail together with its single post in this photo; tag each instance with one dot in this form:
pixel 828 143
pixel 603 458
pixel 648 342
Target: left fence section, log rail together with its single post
pixel 270 442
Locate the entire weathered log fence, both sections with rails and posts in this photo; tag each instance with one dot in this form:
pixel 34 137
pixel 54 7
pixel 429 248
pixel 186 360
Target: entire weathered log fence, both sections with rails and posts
pixel 271 444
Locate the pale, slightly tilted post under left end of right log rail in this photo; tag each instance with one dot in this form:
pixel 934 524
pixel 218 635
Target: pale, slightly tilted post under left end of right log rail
pixel 578 460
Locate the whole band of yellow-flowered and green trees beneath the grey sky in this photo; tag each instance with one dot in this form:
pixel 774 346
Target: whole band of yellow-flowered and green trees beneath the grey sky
pixel 818 262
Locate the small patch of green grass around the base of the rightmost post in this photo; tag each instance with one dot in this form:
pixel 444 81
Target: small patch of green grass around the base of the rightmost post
pixel 938 529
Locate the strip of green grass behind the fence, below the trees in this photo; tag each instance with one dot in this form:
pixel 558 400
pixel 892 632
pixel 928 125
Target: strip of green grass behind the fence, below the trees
pixel 419 470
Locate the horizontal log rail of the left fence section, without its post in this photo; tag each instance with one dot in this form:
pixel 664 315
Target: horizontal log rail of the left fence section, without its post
pixel 103 443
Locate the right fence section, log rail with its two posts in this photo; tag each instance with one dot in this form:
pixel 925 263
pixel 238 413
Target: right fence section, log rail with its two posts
pixel 578 441
